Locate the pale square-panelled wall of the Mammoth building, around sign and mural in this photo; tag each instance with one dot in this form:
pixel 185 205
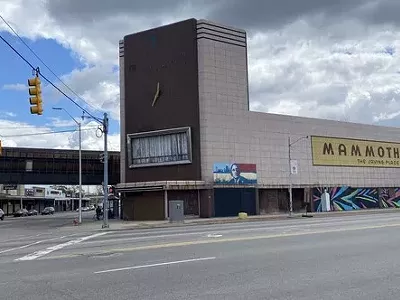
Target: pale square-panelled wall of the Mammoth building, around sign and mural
pixel 229 132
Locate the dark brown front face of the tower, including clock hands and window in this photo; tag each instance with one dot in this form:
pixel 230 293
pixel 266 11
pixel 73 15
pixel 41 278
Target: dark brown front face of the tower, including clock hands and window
pixel 160 138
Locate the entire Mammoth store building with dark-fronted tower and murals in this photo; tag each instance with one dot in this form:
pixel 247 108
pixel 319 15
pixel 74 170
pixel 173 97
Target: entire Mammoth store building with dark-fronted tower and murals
pixel 187 134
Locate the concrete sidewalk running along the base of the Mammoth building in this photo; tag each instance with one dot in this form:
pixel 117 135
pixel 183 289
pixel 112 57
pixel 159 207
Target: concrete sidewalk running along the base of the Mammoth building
pixel 116 225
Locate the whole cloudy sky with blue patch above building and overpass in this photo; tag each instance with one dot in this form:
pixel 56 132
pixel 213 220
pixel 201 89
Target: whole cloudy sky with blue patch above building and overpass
pixel 317 58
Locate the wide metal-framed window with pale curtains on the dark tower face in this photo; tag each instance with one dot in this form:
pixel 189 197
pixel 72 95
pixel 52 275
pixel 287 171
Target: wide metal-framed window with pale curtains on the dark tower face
pixel 161 147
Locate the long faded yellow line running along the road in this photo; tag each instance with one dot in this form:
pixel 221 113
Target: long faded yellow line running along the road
pixel 222 240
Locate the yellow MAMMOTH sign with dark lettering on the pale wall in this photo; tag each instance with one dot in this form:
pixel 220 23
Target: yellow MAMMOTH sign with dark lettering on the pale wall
pixel 328 151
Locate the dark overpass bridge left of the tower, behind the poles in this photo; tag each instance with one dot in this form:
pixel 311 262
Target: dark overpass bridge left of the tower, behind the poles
pixel 55 166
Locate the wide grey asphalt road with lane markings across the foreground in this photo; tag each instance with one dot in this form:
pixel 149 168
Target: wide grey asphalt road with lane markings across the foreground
pixel 351 257
